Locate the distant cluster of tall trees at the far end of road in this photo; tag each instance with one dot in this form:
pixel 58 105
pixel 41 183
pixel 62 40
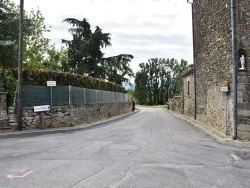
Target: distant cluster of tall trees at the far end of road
pixel 162 79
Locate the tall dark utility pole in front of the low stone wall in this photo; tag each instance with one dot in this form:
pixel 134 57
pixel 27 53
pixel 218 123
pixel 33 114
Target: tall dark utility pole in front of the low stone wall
pixel 20 67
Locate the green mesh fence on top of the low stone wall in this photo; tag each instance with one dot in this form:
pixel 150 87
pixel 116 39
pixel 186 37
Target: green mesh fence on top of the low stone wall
pixel 65 95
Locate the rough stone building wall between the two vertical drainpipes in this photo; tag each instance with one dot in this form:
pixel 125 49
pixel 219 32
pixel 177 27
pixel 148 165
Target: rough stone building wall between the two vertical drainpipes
pixel 212 36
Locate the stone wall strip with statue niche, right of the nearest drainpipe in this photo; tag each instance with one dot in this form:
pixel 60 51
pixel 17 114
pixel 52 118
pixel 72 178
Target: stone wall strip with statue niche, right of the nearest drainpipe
pixel 243 76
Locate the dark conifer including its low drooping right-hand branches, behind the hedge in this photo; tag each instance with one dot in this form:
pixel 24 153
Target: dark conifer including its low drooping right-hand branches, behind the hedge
pixel 86 57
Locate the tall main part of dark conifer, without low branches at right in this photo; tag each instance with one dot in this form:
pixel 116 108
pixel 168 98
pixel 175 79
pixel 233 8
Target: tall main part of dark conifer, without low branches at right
pixel 85 49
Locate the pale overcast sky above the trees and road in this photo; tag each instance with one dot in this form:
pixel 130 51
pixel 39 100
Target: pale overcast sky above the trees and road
pixel 144 28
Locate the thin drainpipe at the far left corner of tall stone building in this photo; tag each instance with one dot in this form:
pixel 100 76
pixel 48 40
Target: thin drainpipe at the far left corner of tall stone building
pixel 195 102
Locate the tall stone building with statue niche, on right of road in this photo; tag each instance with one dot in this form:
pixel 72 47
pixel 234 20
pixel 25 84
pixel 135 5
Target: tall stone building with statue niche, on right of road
pixel 213 59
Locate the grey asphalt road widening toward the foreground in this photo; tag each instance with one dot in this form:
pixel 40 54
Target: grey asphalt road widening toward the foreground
pixel 150 148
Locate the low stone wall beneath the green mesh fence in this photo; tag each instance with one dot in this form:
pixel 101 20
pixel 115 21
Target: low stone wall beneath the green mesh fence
pixel 70 115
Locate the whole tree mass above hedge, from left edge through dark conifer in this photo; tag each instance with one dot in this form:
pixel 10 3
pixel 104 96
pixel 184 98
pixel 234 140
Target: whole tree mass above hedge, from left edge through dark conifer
pixel 83 54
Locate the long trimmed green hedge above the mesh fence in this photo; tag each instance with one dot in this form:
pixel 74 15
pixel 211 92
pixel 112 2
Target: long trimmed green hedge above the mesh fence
pixel 40 78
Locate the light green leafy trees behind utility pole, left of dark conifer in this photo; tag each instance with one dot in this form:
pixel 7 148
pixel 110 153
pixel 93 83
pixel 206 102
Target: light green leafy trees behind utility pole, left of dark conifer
pixel 35 44
